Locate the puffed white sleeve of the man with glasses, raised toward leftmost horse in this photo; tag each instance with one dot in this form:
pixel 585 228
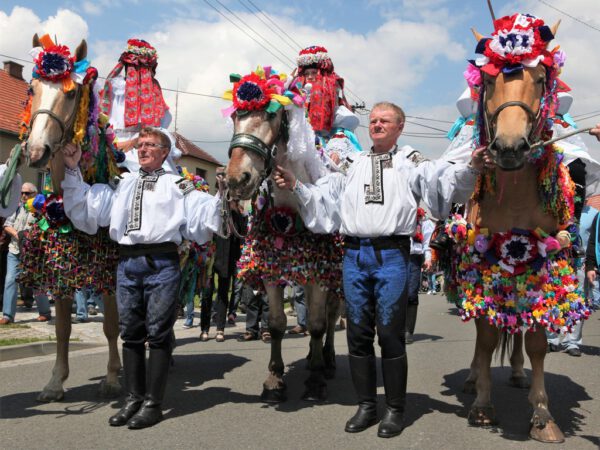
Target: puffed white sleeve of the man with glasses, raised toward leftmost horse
pixel 87 206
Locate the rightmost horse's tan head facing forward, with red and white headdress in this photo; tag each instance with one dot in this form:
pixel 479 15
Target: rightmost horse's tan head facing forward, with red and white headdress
pixel 513 91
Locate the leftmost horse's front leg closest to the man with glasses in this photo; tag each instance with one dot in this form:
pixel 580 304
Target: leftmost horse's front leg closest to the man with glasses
pixel 110 386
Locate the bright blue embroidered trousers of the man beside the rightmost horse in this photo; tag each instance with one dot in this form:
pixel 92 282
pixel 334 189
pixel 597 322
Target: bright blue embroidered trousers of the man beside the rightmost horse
pixel 375 287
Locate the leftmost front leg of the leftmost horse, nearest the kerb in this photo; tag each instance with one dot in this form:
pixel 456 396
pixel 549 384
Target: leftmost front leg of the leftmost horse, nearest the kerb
pixel 53 391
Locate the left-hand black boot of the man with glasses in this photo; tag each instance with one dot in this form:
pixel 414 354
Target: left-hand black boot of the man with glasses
pixel 134 372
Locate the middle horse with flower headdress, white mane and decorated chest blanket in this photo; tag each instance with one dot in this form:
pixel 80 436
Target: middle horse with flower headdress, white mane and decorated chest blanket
pixel 262 140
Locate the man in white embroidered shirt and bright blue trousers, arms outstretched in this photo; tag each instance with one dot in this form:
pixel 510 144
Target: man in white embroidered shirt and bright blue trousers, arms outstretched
pixel 375 206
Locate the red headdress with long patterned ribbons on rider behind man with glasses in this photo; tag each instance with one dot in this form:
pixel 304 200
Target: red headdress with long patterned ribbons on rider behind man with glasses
pixel 144 102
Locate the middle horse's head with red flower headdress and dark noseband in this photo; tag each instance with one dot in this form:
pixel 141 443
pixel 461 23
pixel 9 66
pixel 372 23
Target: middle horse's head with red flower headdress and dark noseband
pixel 259 128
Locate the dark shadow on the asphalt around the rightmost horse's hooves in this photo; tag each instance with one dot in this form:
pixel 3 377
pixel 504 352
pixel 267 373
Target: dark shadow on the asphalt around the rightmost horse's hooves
pixel 512 407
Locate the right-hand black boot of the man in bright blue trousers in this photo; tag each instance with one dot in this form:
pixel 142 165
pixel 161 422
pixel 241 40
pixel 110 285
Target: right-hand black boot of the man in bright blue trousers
pixel 395 372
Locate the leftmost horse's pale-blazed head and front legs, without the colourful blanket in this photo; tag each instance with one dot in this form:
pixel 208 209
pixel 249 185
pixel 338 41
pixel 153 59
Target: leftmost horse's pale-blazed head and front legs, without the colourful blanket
pixel 50 126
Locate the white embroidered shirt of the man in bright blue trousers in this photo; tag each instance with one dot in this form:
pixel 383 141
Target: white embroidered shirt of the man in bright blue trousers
pixel 380 198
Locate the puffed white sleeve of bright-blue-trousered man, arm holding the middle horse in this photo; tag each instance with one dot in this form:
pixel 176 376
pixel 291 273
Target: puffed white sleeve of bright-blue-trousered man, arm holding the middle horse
pixel 320 203
